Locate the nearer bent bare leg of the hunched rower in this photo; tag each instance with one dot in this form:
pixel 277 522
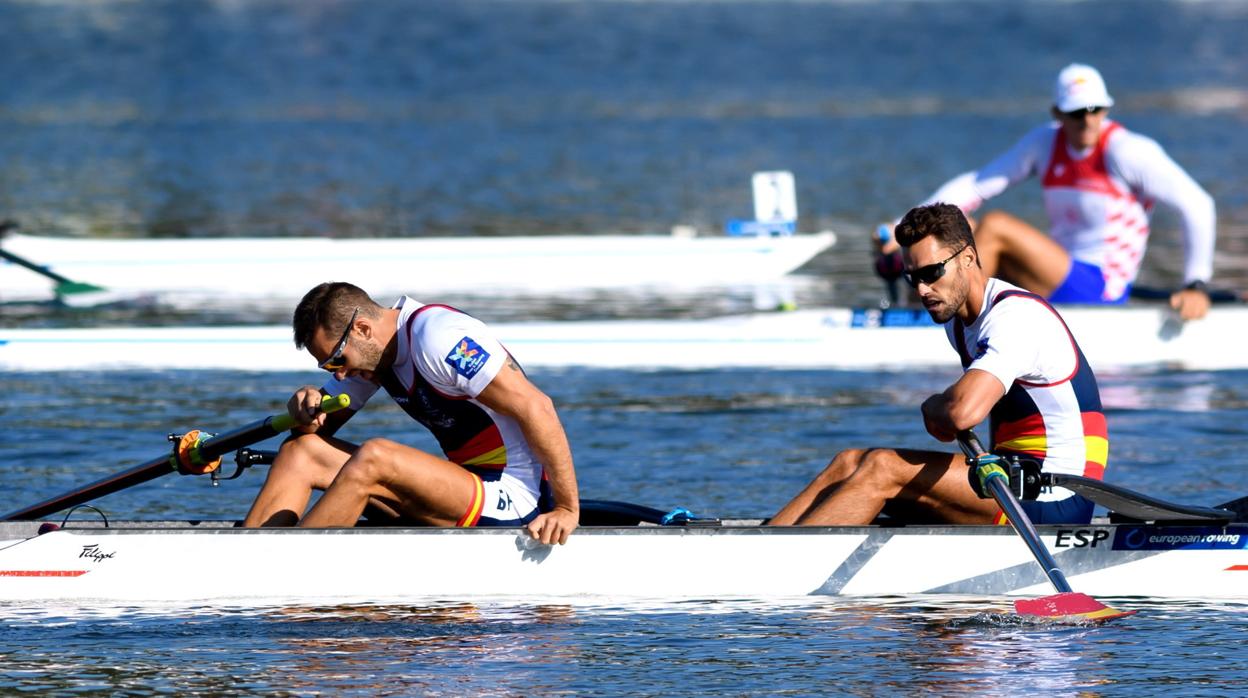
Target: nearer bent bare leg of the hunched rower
pixel 411 483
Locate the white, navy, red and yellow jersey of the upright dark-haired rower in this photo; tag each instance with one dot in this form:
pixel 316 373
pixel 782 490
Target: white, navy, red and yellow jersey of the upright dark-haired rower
pixel 1051 410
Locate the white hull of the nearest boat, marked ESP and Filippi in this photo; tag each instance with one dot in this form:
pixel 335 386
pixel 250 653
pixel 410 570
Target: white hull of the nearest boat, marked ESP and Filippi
pixel 177 561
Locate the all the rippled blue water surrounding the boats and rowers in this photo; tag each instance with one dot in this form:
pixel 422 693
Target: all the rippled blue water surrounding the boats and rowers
pixel 229 118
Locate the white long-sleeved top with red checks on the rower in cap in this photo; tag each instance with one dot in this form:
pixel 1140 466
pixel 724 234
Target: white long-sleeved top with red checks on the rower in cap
pixel 1101 217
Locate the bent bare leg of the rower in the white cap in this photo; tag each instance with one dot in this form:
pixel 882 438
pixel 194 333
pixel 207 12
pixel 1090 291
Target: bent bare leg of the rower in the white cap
pixel 1014 250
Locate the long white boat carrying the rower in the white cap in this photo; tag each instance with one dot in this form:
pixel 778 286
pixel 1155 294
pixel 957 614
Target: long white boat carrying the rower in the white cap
pixel 842 339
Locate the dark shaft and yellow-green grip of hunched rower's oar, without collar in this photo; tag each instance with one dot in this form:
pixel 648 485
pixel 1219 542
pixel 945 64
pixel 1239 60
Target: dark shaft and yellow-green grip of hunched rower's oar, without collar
pixel 210 449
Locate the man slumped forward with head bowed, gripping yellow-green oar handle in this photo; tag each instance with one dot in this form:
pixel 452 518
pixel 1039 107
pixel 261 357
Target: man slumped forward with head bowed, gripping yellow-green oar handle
pixel 506 459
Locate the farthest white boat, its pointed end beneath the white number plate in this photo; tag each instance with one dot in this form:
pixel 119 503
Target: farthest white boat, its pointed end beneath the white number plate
pixel 183 273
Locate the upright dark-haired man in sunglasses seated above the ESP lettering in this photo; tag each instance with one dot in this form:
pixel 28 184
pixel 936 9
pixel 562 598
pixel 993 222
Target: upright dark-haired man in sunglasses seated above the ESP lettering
pixel 1023 369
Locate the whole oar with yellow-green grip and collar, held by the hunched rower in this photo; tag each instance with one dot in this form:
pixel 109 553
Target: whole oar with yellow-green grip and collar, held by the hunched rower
pixel 193 456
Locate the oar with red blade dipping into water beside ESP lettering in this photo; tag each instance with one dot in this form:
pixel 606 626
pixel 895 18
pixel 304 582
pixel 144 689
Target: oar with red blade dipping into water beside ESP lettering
pixel 1066 604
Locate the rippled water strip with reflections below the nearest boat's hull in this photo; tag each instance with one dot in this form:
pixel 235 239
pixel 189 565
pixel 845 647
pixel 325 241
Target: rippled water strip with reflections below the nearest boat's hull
pixel 509 647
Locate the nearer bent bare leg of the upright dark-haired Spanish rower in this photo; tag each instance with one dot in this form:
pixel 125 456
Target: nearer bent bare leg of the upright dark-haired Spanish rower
pixel 925 481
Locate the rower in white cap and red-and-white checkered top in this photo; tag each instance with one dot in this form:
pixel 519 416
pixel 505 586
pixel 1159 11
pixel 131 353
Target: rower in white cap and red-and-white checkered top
pixel 1101 183
